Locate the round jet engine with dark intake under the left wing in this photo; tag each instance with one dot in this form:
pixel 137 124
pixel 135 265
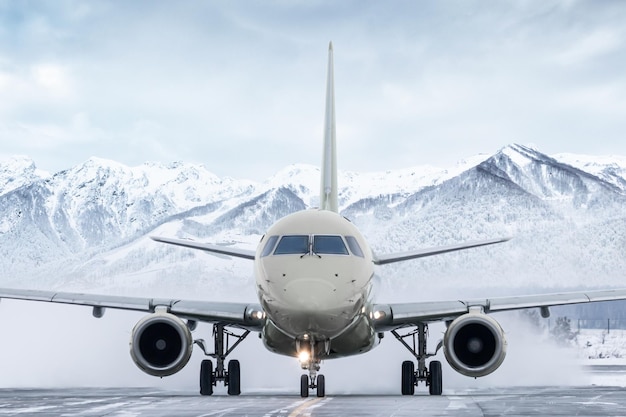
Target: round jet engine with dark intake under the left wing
pixel 161 344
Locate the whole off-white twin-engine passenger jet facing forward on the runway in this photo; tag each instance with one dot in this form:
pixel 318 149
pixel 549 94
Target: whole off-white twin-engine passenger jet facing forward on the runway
pixel 313 274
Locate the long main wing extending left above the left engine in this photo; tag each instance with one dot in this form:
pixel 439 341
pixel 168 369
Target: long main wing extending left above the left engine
pixel 237 314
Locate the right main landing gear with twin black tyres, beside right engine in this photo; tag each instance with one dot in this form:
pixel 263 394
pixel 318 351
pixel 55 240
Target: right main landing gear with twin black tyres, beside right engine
pixel 410 377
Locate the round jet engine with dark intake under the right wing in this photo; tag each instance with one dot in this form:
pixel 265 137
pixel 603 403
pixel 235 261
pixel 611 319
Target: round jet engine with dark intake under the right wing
pixel 474 344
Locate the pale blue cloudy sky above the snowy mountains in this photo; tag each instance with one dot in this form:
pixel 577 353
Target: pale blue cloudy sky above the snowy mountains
pixel 239 86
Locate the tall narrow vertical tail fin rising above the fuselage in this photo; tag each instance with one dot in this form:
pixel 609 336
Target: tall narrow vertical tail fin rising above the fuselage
pixel 328 191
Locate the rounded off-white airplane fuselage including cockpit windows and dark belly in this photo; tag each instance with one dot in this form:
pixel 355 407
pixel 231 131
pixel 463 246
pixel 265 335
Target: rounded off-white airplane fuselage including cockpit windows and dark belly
pixel 314 277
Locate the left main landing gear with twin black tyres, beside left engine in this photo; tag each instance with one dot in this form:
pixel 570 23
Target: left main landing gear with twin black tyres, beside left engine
pixel 231 376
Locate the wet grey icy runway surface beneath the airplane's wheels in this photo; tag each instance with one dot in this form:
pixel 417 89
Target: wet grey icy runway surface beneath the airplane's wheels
pixel 533 401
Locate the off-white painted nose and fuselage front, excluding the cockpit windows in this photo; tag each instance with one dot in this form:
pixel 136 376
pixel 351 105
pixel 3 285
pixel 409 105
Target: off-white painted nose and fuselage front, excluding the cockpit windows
pixel 310 294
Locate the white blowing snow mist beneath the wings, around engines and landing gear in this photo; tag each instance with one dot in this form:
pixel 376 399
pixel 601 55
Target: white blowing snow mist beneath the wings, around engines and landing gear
pixel 57 346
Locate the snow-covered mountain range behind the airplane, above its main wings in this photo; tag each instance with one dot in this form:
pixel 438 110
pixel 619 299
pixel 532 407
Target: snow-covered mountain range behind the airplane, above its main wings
pixel 88 227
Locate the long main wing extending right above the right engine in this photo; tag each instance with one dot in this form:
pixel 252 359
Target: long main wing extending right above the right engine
pixel 392 316
